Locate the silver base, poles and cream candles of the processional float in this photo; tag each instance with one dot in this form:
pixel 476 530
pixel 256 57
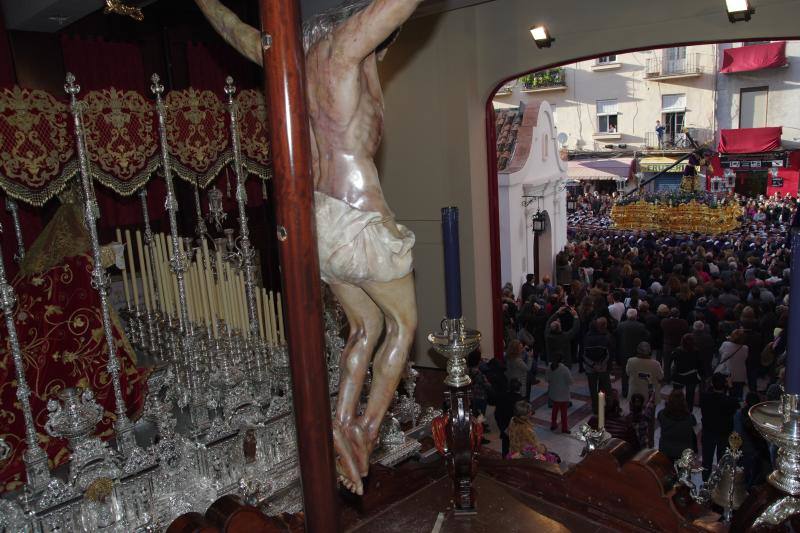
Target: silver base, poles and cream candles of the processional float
pixel 219 401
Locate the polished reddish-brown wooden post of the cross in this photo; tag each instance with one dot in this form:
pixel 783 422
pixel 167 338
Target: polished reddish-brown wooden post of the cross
pixel 284 87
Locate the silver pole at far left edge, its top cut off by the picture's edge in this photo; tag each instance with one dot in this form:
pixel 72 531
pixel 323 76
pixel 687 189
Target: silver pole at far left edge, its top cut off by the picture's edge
pixel 35 458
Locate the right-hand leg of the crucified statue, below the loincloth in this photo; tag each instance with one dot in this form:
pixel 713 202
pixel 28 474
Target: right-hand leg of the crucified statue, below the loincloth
pixel 398 303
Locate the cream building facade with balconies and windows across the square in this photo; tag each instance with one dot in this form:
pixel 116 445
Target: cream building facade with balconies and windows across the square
pixel 616 100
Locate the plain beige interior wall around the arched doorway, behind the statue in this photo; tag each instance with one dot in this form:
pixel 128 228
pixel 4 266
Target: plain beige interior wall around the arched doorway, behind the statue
pixel 437 78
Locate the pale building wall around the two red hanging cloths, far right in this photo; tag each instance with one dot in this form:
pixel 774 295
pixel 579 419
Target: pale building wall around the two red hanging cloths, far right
pixel 783 97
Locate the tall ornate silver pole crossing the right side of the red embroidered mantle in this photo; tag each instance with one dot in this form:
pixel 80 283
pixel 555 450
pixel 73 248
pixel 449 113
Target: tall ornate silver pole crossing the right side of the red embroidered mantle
pixel 124 428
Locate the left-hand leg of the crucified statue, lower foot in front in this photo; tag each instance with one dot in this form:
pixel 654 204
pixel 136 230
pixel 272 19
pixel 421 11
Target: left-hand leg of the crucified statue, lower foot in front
pixel 366 323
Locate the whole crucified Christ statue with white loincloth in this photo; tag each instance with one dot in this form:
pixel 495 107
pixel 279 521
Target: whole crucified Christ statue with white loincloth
pixel 365 256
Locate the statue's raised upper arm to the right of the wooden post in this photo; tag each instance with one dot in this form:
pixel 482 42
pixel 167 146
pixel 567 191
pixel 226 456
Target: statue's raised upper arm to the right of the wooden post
pixel 361 34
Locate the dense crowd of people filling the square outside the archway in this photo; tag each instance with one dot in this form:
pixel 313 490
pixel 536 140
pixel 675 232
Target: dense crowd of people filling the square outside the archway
pixel 668 322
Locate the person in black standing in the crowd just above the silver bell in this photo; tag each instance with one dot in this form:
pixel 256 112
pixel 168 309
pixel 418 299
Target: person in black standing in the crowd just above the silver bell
pixel 717 410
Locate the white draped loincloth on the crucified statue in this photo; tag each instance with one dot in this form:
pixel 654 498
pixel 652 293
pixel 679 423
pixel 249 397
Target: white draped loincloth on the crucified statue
pixel 355 246
